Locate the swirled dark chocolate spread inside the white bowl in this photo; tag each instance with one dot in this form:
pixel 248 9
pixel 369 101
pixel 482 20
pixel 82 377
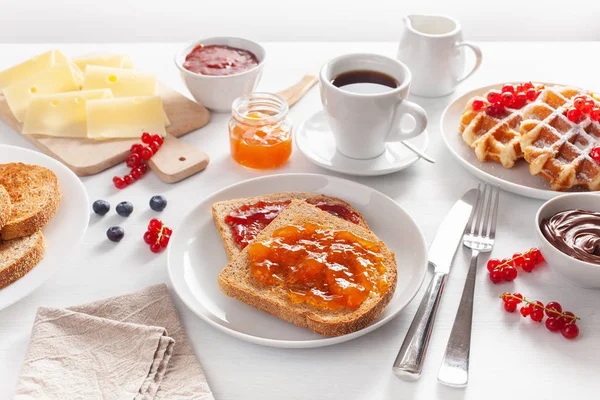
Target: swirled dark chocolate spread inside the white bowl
pixel 575 233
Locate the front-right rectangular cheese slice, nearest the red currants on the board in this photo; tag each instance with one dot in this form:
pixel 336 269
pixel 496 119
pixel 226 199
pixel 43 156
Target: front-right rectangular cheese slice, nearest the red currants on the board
pixel 125 117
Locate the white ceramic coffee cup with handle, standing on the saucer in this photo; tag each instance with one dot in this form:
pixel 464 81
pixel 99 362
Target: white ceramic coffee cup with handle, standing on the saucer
pixel 362 123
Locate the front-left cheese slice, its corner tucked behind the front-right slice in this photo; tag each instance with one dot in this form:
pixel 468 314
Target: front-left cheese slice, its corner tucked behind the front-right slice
pixel 61 114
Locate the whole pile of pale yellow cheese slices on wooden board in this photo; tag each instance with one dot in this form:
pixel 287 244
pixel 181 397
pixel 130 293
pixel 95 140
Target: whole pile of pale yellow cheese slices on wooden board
pixel 99 97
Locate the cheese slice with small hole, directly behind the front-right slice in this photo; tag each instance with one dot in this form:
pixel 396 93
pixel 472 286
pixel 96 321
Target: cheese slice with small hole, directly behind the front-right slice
pixel 122 82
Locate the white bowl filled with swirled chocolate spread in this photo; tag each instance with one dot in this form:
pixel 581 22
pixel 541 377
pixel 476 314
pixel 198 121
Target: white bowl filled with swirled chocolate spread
pixel 568 230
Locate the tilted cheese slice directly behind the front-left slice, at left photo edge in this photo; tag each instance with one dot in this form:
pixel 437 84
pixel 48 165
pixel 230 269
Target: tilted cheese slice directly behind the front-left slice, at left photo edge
pixel 55 79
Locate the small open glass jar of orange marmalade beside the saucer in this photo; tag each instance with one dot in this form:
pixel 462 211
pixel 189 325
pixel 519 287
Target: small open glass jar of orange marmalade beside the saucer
pixel 260 133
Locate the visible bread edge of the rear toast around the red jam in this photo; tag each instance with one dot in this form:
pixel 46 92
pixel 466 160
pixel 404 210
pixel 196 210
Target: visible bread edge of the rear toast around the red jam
pixel 222 208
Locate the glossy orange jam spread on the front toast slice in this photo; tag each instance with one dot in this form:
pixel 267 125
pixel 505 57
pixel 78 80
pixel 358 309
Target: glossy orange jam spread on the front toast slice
pixel 321 267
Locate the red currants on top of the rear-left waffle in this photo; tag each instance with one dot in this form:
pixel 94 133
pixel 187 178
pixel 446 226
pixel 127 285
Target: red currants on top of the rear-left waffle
pixel 514 97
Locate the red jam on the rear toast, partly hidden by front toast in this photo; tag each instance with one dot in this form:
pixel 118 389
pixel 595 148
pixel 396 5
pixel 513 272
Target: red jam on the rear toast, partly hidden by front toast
pixel 248 220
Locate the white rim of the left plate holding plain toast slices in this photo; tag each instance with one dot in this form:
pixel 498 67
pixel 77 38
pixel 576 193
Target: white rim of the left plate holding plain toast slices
pixel 27 290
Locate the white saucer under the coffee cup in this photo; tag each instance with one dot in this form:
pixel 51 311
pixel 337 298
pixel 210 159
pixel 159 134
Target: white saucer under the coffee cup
pixel 315 140
